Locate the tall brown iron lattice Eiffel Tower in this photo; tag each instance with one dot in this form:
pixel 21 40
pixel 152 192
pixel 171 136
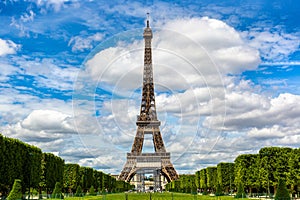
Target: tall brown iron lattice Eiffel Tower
pixel 147 123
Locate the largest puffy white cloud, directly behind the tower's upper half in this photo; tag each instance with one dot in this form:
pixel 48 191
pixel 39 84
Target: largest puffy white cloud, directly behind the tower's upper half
pixel 204 50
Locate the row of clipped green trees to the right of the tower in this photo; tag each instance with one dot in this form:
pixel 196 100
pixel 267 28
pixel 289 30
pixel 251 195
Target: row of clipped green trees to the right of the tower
pixel 254 173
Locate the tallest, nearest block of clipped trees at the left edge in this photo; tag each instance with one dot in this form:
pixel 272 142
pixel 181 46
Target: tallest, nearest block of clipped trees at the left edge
pixel 19 161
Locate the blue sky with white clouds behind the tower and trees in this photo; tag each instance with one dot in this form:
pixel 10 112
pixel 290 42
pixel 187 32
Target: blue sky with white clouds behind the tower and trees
pixel 226 73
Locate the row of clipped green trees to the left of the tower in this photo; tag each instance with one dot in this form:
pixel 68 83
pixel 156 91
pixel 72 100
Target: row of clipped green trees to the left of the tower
pixel 42 171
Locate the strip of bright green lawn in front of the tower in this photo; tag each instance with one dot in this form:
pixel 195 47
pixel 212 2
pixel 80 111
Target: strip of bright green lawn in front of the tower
pixel 148 196
